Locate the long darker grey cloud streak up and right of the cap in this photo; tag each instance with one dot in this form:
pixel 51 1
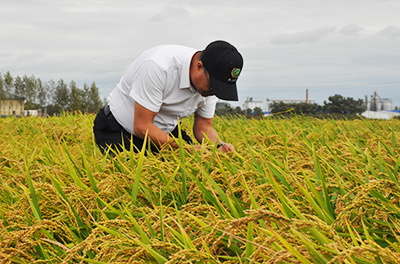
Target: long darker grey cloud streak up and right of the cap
pixel 308 36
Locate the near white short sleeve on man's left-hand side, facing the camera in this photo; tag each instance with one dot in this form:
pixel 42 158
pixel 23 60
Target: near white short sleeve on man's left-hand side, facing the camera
pixel 148 86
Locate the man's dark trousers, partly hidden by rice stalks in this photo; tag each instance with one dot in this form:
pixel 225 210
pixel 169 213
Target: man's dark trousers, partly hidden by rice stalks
pixel 108 133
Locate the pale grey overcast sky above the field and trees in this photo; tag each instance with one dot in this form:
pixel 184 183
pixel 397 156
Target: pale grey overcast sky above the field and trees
pixel 347 47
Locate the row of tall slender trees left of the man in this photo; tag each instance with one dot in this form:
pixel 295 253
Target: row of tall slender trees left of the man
pixel 50 97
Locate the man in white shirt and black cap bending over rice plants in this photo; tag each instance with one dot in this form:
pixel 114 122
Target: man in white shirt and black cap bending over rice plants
pixel 163 85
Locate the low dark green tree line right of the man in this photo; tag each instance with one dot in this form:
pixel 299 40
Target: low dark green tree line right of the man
pixel 337 105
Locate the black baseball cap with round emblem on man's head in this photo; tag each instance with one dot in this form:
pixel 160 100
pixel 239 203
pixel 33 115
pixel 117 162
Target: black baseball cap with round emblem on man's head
pixel 224 64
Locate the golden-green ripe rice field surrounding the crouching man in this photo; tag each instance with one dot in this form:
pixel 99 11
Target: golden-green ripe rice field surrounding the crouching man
pixel 298 190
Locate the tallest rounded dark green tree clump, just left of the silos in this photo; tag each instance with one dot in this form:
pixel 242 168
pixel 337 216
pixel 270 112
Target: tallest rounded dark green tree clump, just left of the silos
pixel 339 104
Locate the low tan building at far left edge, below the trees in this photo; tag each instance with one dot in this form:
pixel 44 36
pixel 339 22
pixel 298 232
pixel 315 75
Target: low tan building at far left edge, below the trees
pixel 11 105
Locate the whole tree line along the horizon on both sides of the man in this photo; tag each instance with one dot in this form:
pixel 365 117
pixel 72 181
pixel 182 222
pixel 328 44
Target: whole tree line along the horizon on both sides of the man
pixel 57 97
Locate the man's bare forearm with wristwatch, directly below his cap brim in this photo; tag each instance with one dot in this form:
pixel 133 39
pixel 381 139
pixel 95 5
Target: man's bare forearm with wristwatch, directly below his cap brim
pixel 203 127
